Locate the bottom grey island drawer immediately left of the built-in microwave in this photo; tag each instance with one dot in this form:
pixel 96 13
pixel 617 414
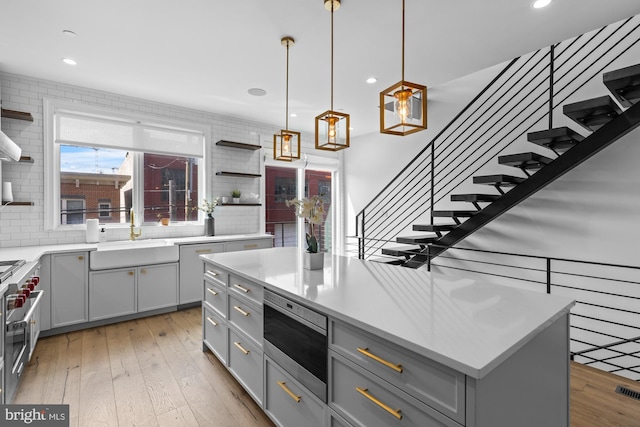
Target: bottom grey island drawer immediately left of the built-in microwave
pixel 245 363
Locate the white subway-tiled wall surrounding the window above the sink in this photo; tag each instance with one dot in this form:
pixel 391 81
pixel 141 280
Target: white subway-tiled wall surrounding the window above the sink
pixel 23 225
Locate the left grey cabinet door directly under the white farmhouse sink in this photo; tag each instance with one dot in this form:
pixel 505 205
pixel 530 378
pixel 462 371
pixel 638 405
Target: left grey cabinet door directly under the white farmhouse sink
pixel 112 293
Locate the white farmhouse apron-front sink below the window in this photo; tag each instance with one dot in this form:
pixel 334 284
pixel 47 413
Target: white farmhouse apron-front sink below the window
pixel 132 253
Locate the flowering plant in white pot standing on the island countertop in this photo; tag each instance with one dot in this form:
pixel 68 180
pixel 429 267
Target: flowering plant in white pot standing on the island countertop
pixel 312 211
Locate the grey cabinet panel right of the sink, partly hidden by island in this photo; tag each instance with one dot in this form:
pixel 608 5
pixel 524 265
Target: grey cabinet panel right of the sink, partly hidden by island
pixel 191 269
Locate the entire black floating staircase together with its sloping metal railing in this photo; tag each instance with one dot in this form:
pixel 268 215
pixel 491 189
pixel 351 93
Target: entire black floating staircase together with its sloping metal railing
pixel 430 177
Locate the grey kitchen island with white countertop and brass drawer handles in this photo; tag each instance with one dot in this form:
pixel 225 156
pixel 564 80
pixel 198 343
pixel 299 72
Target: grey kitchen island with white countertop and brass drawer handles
pixel 473 353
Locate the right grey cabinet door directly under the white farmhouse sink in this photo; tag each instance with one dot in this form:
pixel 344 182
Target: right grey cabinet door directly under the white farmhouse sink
pixel 158 286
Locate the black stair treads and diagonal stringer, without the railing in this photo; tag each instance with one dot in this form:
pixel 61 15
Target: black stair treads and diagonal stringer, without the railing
pixel 602 116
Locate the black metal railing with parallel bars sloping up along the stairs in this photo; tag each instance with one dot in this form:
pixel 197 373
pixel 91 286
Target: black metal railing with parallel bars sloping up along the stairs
pixel 523 97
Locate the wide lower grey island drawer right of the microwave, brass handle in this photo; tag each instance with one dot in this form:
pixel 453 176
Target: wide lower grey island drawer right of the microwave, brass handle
pixel 370 401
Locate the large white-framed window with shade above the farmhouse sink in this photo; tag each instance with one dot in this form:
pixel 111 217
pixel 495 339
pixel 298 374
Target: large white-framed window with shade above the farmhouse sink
pixel 115 163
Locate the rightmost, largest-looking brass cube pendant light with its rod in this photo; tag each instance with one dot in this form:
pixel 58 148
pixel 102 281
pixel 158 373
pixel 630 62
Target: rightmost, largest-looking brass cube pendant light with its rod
pixel 403 106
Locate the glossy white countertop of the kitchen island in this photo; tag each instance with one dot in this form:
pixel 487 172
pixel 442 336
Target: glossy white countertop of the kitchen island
pixel 467 325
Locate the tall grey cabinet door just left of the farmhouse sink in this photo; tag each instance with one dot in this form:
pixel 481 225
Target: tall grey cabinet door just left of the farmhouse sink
pixel 69 288
